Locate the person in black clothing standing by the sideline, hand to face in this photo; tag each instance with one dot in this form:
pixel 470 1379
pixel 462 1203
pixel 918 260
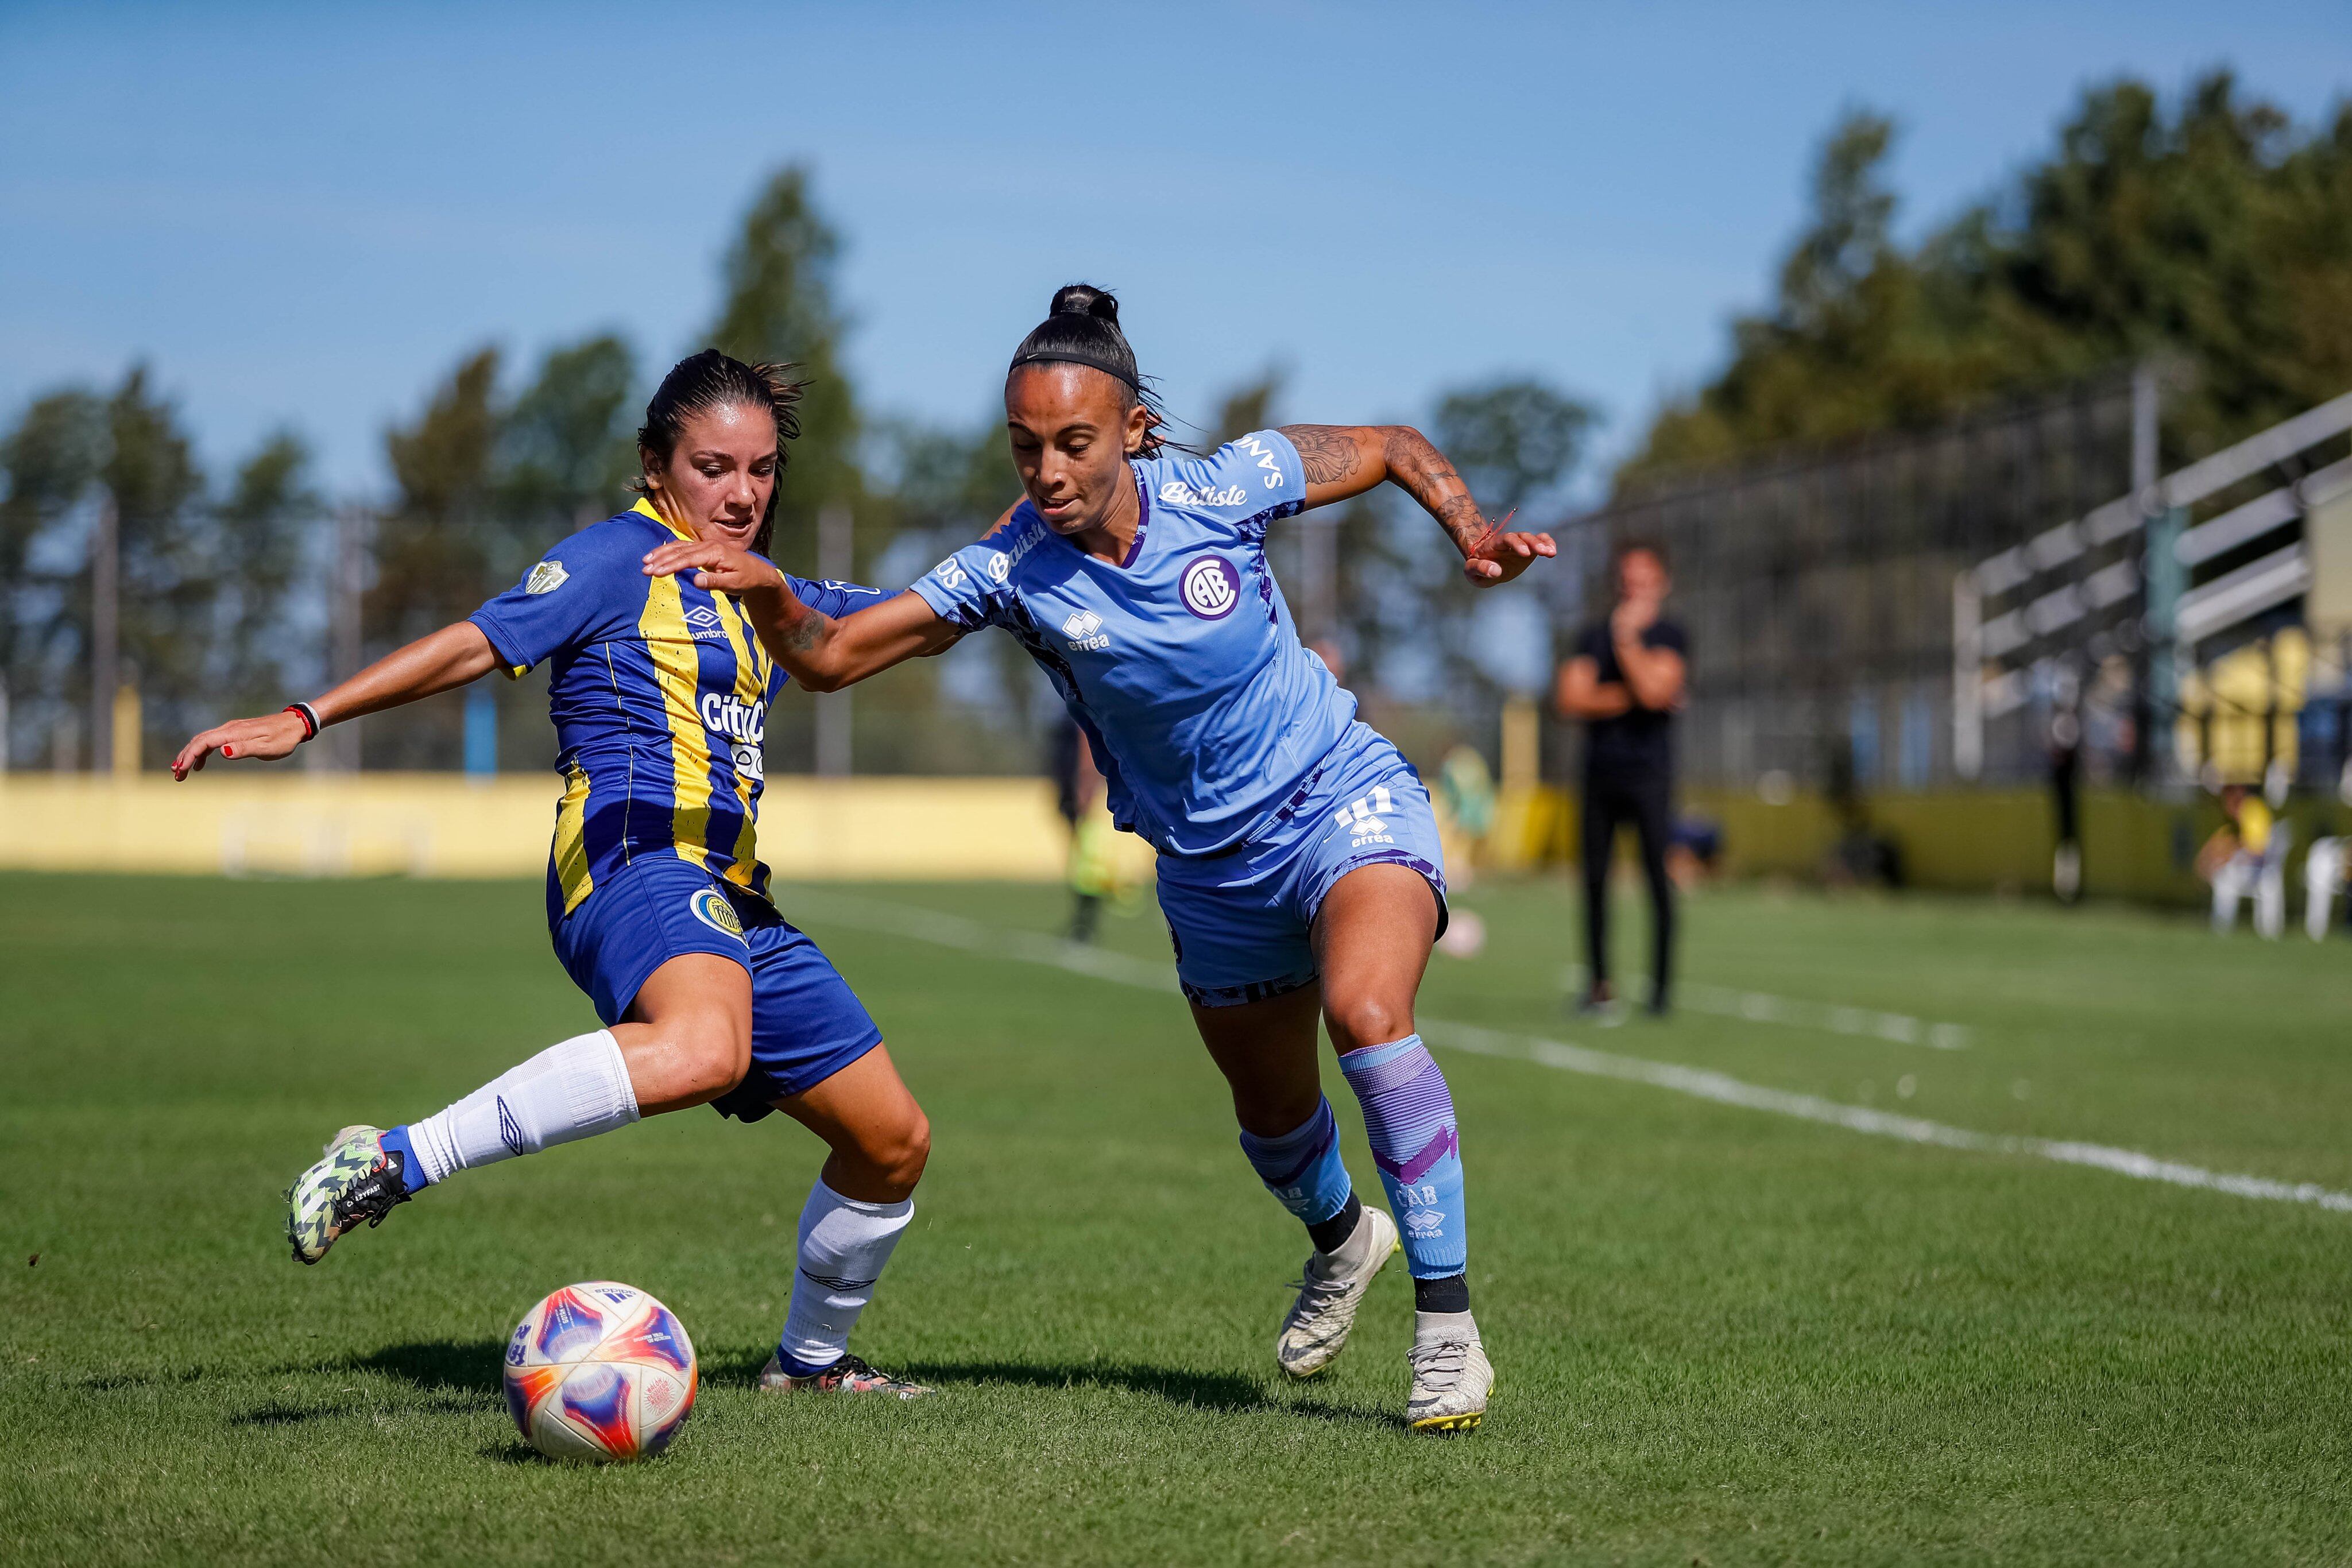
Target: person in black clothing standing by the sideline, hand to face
pixel 1624 681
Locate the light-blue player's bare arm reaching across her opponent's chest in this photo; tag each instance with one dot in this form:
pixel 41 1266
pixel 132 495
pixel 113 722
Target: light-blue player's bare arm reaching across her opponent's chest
pixel 815 650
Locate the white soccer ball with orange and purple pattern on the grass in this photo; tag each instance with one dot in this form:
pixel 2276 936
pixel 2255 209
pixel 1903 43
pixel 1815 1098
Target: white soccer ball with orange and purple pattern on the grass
pixel 599 1374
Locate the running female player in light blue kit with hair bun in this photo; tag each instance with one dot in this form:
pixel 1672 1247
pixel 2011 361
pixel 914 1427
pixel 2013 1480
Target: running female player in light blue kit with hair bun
pixel 1299 864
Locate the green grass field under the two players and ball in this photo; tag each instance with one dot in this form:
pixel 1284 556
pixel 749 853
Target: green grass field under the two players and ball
pixel 1725 1336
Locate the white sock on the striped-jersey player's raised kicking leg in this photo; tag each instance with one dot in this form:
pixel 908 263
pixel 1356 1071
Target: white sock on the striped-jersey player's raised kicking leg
pixel 568 1092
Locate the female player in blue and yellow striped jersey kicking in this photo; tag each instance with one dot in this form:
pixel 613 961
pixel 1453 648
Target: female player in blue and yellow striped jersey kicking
pixel 657 897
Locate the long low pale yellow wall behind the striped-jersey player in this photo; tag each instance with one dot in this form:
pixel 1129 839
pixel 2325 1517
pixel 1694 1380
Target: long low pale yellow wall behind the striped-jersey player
pixel 293 824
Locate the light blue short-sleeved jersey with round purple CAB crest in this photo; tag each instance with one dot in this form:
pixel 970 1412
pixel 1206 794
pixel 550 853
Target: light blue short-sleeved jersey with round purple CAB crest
pixel 1182 662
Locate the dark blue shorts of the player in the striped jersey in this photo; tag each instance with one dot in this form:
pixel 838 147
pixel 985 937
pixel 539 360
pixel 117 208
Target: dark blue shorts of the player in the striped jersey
pixel 806 1021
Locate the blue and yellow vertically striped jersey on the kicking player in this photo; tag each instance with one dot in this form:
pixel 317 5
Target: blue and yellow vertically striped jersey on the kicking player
pixel 660 697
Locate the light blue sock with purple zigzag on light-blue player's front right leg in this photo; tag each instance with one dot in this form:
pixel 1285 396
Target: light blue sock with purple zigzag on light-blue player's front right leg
pixel 1410 1120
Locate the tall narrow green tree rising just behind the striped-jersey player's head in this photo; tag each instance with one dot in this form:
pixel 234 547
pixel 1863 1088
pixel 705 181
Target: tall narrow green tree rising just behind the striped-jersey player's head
pixel 780 307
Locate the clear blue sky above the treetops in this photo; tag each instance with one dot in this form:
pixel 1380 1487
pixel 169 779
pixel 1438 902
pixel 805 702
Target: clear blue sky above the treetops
pixel 305 215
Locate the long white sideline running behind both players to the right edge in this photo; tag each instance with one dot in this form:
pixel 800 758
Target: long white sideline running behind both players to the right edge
pixel 1121 970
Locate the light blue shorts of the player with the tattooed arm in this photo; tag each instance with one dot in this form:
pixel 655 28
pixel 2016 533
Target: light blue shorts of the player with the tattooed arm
pixel 1241 920
